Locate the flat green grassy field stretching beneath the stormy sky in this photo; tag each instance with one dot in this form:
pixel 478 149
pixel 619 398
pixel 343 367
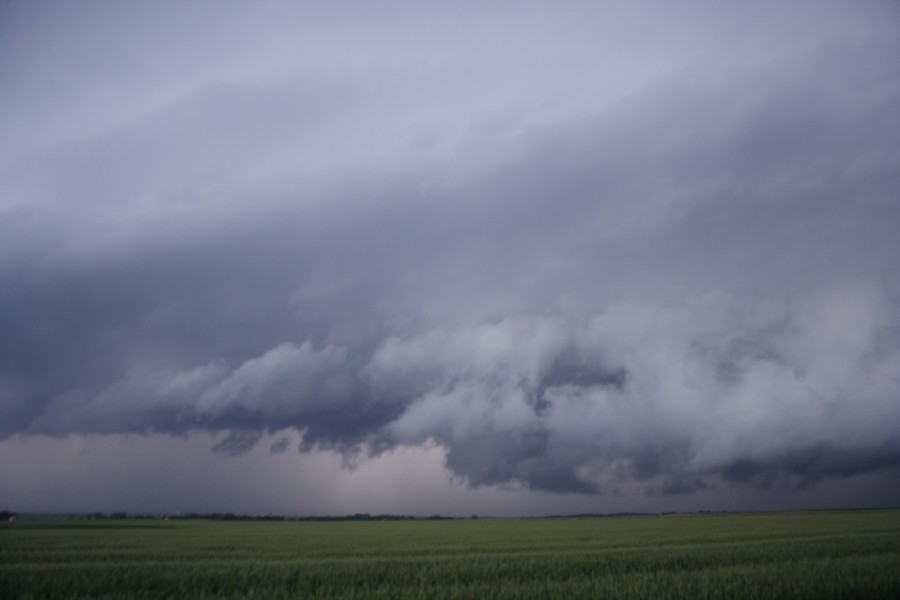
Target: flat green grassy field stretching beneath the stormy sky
pixel 786 555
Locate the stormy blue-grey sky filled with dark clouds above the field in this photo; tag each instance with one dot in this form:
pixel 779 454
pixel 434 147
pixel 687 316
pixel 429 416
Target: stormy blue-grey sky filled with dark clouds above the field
pixel 495 258
